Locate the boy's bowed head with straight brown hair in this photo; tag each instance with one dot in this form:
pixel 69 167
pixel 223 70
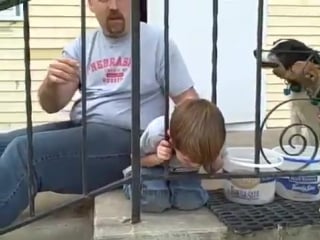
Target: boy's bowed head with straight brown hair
pixel 197 133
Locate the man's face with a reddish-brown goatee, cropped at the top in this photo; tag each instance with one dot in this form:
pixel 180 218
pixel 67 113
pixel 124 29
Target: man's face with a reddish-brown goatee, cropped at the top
pixel 112 15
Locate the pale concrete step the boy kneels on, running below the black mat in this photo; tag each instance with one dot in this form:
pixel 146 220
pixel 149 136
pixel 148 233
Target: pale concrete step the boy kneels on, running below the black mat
pixel 112 222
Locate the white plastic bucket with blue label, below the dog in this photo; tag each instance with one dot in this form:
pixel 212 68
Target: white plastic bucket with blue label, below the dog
pixel 299 188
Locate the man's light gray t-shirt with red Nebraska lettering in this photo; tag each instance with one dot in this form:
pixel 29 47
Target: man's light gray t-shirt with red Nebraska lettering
pixel 109 76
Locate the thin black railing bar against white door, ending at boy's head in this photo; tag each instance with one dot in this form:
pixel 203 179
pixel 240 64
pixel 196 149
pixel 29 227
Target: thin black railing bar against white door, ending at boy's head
pixel 214 57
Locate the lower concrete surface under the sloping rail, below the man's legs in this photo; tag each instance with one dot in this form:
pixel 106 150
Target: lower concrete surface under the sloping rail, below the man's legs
pixel 73 223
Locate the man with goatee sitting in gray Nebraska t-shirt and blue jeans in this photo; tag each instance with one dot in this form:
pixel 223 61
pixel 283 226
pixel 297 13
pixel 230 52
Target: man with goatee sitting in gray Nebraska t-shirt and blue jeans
pixel 57 146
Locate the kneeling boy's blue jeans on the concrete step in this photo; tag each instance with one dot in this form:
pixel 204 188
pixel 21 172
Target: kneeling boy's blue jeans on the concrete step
pixel 159 195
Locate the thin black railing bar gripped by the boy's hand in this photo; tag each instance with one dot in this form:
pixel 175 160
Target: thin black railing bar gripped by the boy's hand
pixel 166 74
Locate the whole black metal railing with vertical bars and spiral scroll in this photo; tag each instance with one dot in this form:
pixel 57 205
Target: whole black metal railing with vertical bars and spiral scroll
pixel 135 179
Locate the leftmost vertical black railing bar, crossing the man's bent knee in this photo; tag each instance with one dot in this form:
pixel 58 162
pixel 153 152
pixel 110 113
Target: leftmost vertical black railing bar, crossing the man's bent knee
pixel 31 173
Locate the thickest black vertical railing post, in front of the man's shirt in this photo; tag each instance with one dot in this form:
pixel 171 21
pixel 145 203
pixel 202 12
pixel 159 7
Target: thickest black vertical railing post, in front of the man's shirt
pixel 135 115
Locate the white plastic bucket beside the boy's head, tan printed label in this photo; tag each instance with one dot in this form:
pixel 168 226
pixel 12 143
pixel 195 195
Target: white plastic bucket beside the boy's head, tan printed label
pixel 254 191
